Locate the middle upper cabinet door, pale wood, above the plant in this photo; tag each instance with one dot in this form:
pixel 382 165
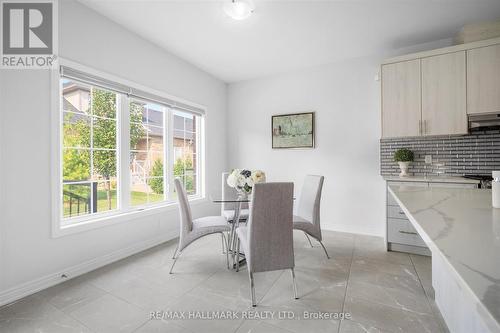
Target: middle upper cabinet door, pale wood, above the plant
pixel 443 94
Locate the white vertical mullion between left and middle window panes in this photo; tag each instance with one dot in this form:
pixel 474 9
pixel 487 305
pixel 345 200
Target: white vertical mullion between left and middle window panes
pixel 124 152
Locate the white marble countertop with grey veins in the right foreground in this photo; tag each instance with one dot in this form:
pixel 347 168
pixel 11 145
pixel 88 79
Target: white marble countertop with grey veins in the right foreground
pixel 463 226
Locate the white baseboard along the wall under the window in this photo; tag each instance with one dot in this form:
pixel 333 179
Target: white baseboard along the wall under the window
pixel 31 287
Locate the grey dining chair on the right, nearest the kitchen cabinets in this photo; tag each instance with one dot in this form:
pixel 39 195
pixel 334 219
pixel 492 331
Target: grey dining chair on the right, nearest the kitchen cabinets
pixel 308 210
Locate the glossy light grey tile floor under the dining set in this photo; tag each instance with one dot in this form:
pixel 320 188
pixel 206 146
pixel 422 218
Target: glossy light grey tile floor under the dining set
pixel 383 292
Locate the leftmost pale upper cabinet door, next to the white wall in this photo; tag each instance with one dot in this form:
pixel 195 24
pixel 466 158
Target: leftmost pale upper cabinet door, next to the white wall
pixel 401 99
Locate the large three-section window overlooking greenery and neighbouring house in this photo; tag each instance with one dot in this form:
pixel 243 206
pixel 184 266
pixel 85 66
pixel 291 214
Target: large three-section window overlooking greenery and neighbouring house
pixel 104 129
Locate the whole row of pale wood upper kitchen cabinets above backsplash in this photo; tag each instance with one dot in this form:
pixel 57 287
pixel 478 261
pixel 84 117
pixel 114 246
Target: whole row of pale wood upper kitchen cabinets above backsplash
pixel 431 93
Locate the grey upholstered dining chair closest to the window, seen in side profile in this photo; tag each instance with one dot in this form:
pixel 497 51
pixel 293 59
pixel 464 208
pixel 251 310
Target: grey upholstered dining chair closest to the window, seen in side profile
pixel 191 230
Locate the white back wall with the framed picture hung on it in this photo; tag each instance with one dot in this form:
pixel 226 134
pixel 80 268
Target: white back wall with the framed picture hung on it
pixel 346 99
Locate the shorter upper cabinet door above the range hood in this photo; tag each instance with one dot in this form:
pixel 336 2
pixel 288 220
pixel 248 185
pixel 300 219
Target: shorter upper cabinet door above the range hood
pixel 483 80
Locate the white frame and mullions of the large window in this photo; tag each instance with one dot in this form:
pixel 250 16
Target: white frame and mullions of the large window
pixel 124 211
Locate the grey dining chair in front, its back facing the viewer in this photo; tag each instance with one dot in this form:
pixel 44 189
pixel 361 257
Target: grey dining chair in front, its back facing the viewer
pixel 267 238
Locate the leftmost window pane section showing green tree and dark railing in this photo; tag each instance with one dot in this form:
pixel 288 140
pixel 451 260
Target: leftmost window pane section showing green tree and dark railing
pixel 89 149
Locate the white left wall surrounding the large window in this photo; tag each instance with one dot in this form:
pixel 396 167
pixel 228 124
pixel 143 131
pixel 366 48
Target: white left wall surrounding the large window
pixel 27 251
